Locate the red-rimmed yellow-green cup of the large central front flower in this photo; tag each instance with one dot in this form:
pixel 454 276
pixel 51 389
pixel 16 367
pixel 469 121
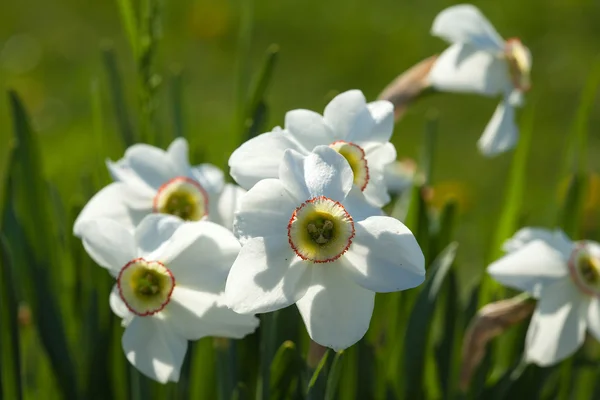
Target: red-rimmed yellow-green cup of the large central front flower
pixel 320 230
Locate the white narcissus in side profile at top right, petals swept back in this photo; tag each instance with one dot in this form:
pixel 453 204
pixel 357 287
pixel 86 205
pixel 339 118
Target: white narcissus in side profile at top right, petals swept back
pixel 480 61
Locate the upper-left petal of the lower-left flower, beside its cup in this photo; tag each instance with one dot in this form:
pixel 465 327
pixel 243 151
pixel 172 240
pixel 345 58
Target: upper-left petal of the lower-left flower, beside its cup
pixel 110 244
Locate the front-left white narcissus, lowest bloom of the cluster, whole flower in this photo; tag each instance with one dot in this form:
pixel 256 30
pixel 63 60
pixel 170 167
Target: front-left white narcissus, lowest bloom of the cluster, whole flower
pixel 170 278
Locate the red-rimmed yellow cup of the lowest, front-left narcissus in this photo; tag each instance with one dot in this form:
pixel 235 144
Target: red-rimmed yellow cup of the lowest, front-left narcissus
pixel 145 286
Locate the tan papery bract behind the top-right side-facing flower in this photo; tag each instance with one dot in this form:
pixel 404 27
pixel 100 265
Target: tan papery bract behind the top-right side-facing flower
pixel 408 86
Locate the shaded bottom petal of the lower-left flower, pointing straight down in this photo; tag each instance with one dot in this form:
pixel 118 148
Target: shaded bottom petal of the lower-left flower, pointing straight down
pixel 154 349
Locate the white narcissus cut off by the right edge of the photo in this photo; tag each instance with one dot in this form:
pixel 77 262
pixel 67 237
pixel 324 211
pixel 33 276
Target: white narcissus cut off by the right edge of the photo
pixel 565 278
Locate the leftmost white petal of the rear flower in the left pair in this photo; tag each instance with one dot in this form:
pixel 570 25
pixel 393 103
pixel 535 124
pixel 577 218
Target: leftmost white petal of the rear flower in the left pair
pixel 118 202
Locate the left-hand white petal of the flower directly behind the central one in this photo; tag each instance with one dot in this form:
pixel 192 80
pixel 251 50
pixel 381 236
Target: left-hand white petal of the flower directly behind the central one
pixel 259 157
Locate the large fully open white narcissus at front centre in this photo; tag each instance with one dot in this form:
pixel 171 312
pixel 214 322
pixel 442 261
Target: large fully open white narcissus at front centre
pixel 306 239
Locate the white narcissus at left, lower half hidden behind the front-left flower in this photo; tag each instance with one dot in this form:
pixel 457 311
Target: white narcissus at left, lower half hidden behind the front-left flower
pixel 151 180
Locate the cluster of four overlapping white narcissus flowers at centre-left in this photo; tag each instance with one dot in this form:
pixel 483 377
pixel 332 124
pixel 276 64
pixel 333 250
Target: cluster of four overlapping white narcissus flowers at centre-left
pixel 194 257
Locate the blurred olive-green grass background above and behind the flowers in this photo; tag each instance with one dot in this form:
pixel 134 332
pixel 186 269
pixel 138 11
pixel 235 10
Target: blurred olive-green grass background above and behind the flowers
pixel 50 53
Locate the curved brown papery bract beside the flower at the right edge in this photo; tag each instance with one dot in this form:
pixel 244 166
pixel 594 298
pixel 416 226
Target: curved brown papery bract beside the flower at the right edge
pixel 491 321
